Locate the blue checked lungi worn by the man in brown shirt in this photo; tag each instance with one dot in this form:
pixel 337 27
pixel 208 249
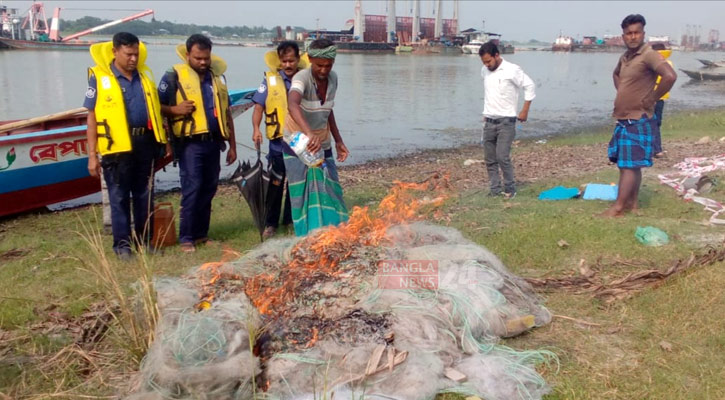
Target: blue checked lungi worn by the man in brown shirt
pixel 632 142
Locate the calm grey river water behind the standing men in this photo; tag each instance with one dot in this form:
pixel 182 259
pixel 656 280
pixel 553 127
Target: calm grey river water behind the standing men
pixel 387 104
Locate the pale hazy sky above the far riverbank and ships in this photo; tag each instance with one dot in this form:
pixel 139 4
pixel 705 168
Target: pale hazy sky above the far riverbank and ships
pixel 515 20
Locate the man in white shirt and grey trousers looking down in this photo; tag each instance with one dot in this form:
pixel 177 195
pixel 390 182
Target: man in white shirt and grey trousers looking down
pixel 502 82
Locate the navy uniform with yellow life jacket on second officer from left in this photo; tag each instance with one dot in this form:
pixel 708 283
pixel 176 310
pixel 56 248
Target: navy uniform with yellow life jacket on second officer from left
pixel 200 137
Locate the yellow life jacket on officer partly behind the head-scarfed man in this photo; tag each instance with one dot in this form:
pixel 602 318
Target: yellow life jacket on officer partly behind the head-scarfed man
pixel 275 107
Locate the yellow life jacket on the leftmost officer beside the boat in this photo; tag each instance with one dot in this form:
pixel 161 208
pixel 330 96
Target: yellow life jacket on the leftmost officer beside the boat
pixel 113 129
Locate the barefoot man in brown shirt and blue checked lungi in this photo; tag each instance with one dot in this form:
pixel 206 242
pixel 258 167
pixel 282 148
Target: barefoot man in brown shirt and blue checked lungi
pixel 634 78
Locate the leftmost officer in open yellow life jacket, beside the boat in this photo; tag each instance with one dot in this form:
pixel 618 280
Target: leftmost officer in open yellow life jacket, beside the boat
pixel 126 129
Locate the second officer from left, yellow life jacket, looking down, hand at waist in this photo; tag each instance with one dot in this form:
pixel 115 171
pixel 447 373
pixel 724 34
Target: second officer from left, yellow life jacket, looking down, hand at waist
pixel 194 97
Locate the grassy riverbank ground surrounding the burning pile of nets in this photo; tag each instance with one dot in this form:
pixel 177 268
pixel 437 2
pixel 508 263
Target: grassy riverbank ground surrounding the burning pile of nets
pixel 664 342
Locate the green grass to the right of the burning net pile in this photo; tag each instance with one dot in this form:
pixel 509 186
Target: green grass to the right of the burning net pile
pixel 621 359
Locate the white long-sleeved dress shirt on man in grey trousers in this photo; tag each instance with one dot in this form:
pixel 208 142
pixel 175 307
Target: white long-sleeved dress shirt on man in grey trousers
pixel 501 89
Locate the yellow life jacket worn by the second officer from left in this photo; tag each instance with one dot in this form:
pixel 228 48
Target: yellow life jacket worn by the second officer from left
pixel 189 88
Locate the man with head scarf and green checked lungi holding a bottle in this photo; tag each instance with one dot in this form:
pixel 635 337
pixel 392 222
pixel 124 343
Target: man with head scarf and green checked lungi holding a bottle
pixel 315 191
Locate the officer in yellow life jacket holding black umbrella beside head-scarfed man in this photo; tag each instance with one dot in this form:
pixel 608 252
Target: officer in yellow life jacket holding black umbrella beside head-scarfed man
pixel 271 101
